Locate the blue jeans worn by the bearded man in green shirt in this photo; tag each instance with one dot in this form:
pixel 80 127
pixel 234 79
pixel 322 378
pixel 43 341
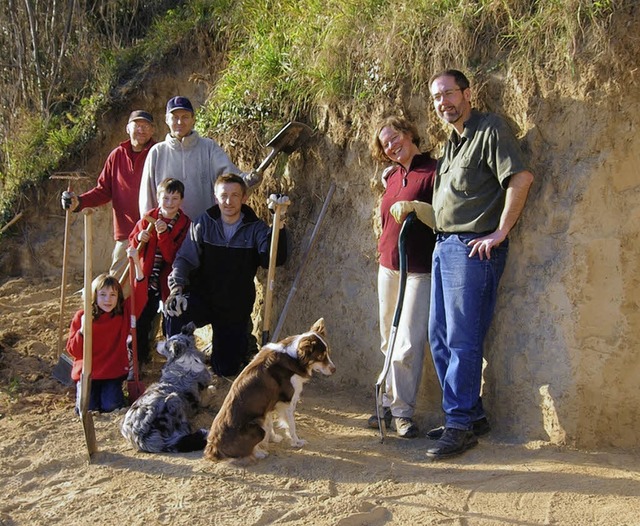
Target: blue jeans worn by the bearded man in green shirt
pixel 463 299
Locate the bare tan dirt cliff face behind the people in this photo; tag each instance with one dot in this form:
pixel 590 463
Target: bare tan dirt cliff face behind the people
pixel 562 354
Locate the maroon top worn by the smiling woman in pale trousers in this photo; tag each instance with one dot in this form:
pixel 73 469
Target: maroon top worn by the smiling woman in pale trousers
pixel 413 185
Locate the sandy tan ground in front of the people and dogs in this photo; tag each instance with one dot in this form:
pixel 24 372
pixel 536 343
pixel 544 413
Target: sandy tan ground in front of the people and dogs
pixel 343 476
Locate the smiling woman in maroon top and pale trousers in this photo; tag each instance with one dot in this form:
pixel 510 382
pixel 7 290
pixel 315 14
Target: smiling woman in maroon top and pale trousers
pixel 410 178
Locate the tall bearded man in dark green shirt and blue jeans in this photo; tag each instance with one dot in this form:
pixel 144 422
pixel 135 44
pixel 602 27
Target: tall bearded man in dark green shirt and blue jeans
pixel 481 187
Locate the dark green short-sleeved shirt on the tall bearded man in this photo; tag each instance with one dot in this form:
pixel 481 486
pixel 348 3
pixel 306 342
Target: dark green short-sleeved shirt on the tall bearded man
pixel 473 175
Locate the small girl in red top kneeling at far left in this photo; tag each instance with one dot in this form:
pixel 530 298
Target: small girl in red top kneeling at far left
pixel 111 326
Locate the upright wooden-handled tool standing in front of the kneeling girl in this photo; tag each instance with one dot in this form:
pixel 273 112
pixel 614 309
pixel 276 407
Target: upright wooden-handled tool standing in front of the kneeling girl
pixel 87 351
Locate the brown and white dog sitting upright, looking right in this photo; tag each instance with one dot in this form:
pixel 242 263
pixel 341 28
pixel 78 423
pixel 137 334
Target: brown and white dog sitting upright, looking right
pixel 269 387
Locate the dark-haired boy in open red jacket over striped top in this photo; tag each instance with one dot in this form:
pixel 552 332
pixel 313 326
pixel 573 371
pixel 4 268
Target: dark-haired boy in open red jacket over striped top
pixel 158 247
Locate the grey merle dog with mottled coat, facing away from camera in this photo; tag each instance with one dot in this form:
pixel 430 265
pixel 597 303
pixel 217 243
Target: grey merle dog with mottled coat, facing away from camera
pixel 158 421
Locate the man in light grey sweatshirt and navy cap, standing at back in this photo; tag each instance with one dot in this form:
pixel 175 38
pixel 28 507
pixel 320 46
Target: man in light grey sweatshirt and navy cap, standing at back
pixel 185 155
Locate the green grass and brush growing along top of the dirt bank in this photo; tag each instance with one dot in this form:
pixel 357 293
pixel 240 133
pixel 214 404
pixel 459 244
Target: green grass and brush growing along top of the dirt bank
pixel 286 59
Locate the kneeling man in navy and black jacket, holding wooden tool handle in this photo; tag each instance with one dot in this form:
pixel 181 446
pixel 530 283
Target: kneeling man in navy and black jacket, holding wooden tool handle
pixel 212 281
